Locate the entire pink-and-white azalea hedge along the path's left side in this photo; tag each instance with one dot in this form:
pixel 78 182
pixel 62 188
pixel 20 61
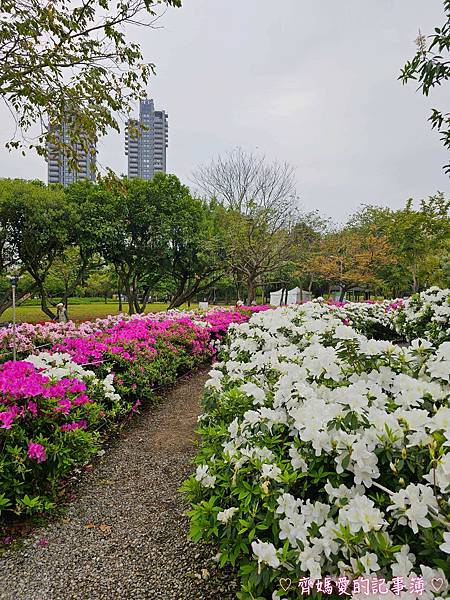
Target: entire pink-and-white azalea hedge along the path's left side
pixel 55 405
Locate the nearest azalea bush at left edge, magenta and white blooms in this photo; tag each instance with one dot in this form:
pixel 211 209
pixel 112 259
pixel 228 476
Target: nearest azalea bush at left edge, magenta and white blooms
pixel 51 411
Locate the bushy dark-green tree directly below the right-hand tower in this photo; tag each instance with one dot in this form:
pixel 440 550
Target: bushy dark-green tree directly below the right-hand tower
pixel 154 230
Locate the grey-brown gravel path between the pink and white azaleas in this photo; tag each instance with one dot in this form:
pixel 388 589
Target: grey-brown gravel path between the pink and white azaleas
pixel 125 536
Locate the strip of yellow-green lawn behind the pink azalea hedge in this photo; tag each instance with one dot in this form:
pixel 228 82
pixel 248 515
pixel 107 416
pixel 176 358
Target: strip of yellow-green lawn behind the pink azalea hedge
pixel 78 312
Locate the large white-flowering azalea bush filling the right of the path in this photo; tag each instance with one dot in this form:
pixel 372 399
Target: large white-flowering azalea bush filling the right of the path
pixel 325 454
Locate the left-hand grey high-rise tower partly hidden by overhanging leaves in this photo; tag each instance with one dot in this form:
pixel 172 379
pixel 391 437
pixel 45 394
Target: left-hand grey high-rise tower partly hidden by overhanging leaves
pixel 58 168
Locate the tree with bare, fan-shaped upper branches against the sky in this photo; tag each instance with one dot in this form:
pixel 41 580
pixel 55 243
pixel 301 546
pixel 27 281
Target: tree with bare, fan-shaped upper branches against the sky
pixel 259 212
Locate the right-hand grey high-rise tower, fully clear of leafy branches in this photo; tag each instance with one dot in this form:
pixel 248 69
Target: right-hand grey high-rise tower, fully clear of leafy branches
pixel 146 140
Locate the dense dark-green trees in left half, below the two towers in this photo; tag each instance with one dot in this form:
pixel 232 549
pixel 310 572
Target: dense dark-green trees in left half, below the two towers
pixel 136 235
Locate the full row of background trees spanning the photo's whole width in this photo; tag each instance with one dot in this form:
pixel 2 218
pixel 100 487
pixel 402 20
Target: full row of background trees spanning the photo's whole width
pixel 143 238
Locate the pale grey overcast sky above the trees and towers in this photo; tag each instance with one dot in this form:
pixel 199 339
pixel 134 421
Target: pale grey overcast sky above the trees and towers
pixel 310 82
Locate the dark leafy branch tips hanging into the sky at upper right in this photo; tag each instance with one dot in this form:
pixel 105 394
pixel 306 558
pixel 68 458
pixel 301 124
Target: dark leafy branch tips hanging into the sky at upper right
pixel 431 67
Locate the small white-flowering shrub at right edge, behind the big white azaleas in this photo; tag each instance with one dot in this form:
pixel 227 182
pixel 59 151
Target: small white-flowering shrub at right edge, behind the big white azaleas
pixel 426 315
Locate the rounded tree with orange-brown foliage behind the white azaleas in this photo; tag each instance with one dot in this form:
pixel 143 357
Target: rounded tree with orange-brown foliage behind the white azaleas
pixel 349 258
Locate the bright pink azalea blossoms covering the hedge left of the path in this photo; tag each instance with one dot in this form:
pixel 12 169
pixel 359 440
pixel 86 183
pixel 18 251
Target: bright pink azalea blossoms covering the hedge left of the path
pixel 33 402
